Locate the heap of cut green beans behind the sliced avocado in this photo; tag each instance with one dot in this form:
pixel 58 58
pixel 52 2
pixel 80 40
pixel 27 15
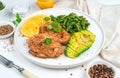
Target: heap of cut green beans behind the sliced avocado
pixel 72 22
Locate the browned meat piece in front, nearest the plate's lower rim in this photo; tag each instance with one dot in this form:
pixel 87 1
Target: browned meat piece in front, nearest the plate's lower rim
pixel 39 49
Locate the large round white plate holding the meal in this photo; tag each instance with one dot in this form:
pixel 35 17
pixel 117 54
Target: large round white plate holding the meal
pixel 63 61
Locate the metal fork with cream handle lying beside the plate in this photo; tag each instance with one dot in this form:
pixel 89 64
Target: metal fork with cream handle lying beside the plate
pixel 10 64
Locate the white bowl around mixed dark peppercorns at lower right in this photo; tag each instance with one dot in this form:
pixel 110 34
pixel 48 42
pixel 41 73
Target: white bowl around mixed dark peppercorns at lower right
pixel 102 62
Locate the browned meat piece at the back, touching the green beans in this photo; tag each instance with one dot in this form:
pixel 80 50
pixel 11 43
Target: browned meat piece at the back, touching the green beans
pixel 62 37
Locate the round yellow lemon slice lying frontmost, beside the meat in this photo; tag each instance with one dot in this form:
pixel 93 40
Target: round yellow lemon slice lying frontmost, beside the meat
pixel 30 29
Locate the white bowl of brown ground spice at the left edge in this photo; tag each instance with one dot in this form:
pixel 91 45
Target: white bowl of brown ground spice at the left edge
pixel 5 23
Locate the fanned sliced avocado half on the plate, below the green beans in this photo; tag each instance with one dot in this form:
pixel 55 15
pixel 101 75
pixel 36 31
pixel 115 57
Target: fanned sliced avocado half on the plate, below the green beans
pixel 79 43
